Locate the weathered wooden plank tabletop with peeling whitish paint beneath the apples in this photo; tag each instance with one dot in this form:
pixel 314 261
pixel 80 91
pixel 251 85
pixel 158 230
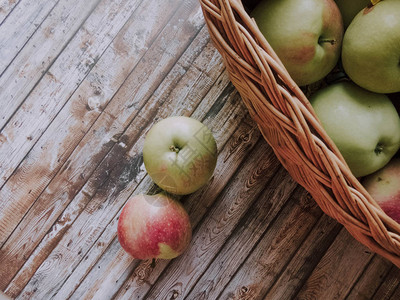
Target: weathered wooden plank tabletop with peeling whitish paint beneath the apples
pixel 81 83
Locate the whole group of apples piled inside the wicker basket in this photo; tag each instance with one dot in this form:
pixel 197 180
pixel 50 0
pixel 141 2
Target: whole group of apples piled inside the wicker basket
pixel 359 109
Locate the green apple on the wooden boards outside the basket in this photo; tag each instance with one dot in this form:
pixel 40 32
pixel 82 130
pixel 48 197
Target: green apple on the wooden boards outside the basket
pixel 180 154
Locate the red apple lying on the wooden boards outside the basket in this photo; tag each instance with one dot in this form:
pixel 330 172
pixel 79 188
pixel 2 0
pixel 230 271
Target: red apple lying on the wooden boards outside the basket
pixel 154 226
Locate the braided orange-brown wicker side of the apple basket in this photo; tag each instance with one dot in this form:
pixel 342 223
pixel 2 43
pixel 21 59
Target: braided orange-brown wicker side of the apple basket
pixel 288 123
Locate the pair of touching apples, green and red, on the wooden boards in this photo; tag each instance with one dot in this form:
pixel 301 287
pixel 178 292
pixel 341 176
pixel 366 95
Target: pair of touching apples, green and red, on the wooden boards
pixel 180 155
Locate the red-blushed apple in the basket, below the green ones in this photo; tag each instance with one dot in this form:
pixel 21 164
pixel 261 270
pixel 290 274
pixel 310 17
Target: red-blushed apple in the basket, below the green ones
pixel 384 187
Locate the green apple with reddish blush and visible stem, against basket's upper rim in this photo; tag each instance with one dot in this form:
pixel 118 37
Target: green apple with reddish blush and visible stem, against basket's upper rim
pixel 306 35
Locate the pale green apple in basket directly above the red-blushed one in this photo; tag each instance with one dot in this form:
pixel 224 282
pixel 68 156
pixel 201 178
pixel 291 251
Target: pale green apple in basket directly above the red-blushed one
pixel 363 125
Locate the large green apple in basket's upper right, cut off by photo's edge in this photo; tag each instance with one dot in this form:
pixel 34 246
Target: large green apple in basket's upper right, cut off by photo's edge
pixel 371 48
